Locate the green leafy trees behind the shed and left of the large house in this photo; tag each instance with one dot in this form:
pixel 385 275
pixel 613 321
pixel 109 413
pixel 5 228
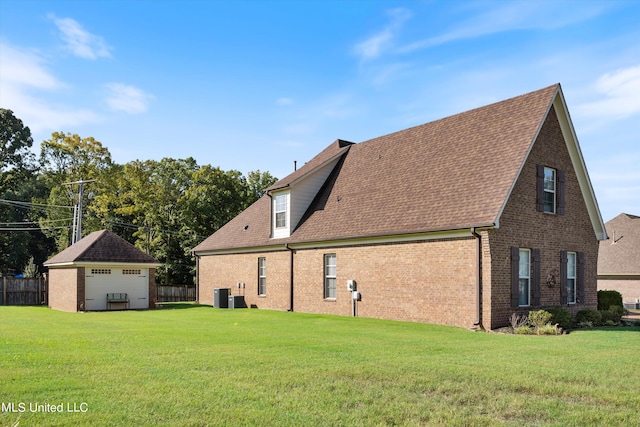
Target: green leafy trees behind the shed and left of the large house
pixel 164 208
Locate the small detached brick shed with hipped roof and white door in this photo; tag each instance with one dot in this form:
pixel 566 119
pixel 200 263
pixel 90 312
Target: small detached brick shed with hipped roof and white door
pixel 101 272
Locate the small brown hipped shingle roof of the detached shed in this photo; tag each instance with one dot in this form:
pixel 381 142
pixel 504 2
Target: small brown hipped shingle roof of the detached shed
pixel 101 246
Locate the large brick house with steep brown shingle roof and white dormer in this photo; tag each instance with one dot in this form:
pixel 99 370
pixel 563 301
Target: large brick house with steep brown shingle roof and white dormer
pixel 461 221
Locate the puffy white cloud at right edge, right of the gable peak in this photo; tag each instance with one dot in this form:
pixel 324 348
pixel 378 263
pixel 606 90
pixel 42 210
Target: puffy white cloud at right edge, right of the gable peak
pixel 620 92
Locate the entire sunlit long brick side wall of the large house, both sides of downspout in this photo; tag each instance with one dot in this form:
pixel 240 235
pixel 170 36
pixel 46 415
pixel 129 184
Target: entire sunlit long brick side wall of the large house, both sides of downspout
pixel 431 281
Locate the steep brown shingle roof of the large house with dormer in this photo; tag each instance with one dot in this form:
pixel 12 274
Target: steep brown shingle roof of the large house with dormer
pixel 449 174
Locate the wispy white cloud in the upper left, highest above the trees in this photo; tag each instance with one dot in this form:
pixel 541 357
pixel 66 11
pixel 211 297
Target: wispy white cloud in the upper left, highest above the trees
pixel 79 41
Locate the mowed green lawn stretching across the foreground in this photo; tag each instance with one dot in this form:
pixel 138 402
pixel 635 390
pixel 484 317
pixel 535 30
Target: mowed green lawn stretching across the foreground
pixel 203 366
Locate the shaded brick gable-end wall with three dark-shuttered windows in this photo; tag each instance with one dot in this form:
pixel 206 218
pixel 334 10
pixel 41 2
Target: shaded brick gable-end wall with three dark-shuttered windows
pixel 521 225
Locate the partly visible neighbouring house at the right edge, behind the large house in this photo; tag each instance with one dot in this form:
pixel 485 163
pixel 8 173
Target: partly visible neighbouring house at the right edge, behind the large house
pixel 619 258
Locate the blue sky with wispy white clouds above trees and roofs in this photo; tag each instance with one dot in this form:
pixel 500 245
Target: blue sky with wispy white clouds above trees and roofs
pixel 251 85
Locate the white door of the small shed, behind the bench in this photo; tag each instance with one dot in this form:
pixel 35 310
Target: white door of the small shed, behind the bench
pixel 101 281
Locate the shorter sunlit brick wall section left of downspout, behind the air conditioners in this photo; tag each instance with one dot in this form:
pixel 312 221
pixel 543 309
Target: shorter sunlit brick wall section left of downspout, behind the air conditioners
pixel 226 271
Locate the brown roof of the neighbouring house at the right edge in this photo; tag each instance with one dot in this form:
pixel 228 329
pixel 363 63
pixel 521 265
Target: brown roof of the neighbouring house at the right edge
pixel 620 255
